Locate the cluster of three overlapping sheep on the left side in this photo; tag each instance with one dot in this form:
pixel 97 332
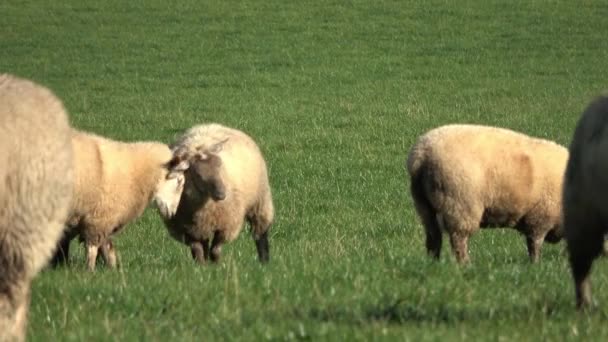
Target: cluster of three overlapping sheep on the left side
pixel 59 183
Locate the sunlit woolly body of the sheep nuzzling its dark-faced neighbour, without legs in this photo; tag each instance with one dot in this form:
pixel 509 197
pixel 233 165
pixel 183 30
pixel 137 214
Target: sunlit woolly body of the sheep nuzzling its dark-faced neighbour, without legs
pixel 119 178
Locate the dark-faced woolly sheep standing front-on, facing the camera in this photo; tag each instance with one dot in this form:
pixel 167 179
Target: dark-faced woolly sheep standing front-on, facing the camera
pixel 226 183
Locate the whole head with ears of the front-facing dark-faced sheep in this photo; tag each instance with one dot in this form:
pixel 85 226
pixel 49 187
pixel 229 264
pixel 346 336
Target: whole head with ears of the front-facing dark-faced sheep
pixel 203 168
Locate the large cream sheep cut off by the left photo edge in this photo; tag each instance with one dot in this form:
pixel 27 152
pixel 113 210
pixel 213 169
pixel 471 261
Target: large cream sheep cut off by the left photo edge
pixel 35 191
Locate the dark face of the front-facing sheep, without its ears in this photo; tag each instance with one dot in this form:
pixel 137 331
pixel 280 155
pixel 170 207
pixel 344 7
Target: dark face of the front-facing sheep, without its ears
pixel 205 174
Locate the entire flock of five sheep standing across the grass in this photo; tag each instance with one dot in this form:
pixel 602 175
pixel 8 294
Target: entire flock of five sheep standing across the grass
pixel 60 183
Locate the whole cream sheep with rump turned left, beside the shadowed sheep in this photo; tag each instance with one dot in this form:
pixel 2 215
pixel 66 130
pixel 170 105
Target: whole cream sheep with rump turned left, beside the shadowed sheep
pixel 466 177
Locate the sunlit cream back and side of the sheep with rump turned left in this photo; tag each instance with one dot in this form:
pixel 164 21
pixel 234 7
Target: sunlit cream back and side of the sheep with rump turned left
pixel 502 168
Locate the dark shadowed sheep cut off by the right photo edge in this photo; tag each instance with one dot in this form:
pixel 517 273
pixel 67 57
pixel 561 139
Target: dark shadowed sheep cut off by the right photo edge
pixel 585 199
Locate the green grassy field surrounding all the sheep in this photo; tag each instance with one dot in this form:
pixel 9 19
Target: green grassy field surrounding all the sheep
pixel 335 92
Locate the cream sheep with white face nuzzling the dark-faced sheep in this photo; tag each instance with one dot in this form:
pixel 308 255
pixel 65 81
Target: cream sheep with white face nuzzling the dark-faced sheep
pixel 115 181
